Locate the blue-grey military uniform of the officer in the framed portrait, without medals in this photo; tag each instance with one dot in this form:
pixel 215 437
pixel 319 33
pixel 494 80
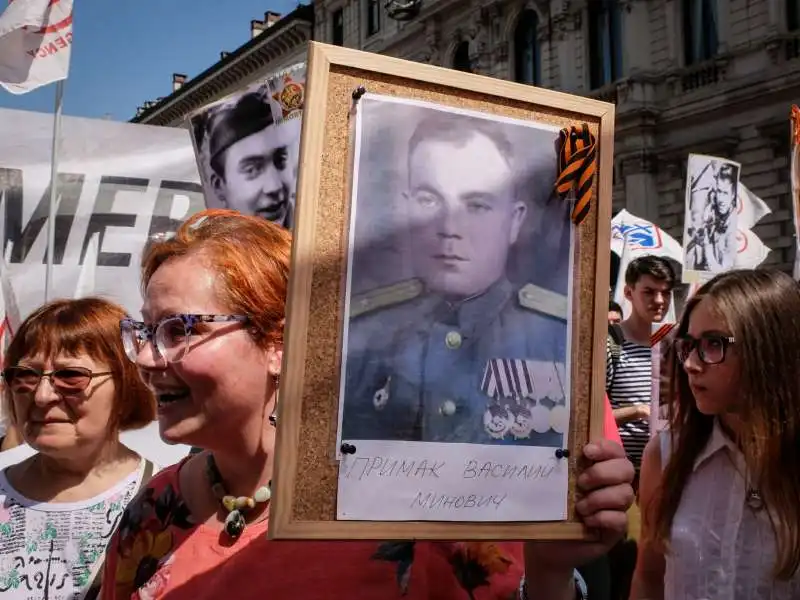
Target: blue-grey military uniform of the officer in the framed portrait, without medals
pixel 415 363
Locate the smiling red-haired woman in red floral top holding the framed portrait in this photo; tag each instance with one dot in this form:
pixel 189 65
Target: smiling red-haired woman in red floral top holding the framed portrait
pixel 210 348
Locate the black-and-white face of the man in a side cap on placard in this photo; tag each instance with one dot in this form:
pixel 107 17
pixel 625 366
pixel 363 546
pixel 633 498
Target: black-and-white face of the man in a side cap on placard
pixel 258 175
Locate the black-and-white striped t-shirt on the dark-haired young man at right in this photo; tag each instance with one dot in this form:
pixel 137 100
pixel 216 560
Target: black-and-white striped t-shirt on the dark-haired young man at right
pixel 629 383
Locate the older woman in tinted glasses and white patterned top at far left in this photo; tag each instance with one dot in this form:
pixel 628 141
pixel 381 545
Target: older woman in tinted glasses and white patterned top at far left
pixel 70 390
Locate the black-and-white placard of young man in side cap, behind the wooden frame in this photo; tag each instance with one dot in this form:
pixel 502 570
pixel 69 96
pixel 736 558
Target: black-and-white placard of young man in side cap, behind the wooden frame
pixel 248 145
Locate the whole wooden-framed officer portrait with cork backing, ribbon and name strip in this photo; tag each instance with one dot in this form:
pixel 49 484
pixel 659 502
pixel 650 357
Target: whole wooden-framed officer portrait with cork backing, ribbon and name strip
pixel 444 355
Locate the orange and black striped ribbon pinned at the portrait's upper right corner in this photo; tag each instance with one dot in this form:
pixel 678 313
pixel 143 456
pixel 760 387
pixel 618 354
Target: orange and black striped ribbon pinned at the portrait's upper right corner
pixel 577 164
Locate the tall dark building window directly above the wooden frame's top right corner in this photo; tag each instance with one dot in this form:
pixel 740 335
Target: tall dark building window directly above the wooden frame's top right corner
pixel 605 43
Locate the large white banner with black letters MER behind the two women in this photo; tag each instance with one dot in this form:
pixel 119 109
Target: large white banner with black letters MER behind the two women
pixel 119 182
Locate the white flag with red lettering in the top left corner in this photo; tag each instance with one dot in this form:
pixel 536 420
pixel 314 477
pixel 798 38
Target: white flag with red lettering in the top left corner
pixel 35 43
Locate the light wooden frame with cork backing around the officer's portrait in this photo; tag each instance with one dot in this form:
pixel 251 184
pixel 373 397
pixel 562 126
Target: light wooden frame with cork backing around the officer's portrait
pixel 307 456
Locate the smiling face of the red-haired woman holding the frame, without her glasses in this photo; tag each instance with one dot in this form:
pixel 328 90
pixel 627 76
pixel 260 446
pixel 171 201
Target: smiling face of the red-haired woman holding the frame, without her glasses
pixel 223 379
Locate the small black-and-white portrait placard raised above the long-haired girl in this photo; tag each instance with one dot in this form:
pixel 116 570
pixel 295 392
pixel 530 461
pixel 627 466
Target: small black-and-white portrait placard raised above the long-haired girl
pixel 709 239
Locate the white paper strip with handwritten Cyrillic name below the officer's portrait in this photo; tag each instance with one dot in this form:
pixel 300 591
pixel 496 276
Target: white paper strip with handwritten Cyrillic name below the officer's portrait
pixel 402 481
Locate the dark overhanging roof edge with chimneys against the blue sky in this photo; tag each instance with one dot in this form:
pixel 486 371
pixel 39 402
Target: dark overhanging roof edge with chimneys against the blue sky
pixel 276 42
